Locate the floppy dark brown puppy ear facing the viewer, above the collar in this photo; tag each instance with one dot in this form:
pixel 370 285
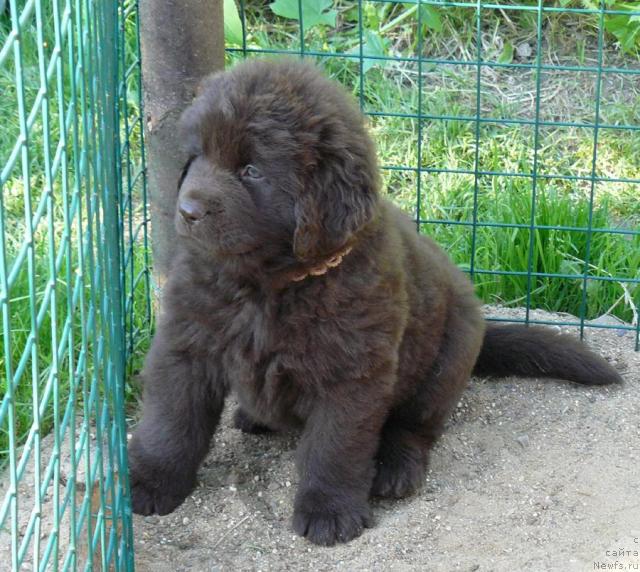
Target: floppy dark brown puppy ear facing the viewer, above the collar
pixel 339 199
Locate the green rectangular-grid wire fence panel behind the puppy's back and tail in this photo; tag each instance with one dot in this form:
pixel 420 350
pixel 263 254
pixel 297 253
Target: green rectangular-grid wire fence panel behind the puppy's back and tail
pixel 509 130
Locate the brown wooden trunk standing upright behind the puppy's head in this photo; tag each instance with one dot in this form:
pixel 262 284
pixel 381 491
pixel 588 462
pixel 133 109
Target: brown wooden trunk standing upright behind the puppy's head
pixel 181 42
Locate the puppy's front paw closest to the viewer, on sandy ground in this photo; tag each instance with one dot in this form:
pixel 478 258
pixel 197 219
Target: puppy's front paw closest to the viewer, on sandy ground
pixel 324 521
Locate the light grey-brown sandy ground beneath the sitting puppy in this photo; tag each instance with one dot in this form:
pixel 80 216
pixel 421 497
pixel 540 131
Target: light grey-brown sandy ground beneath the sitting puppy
pixel 530 475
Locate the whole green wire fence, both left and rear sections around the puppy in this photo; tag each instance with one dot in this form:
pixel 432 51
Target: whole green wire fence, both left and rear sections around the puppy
pixel 518 150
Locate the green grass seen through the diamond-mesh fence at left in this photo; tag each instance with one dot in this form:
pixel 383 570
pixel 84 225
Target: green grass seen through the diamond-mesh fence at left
pixel 51 295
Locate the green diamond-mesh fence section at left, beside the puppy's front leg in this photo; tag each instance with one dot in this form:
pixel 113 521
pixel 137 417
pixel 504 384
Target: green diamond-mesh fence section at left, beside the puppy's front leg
pixel 73 279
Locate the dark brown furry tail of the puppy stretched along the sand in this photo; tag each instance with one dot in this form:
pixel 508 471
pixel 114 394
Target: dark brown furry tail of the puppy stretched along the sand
pixel 541 352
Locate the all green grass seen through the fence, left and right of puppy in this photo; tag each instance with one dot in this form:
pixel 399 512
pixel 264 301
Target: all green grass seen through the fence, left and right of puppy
pixel 447 199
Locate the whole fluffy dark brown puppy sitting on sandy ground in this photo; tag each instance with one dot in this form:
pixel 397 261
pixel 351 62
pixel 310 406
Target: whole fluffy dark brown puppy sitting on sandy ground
pixel 315 301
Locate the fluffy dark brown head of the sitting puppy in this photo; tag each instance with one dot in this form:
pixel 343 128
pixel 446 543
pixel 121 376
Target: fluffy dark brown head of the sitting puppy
pixel 281 165
